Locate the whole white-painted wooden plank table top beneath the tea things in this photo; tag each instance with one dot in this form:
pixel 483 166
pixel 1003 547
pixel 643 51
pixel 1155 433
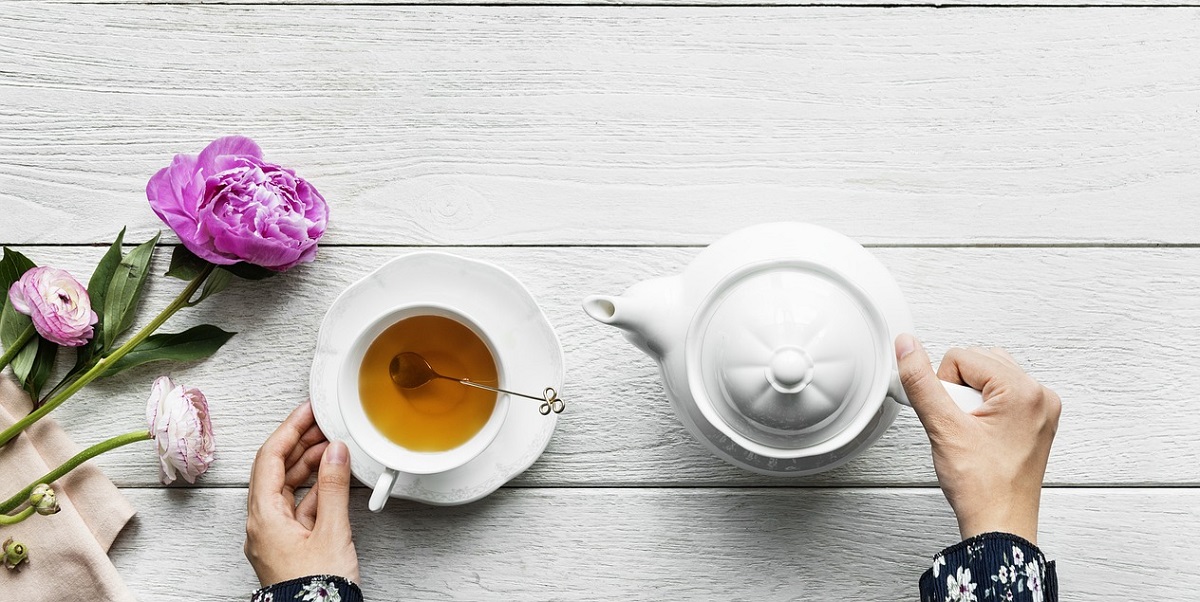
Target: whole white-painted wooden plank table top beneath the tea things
pixel 1030 176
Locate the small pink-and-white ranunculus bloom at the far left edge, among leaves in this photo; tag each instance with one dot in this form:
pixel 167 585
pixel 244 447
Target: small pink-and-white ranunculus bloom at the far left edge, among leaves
pixel 58 305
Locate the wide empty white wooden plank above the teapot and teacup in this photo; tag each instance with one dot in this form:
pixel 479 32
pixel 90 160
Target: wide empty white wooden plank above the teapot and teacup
pixel 601 127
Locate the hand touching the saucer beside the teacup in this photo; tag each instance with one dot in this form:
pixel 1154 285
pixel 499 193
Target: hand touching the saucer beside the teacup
pixel 285 540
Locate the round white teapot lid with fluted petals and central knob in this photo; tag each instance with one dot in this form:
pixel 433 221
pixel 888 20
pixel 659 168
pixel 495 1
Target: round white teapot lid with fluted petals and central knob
pixel 788 353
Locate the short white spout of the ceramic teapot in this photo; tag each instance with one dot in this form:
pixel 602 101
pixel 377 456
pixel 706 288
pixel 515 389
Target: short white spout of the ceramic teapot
pixel 644 312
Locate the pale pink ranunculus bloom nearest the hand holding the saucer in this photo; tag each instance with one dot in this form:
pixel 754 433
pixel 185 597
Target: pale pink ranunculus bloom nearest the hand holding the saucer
pixel 181 428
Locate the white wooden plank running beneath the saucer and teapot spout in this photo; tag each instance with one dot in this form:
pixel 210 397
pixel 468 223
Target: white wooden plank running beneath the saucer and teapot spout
pixel 1108 329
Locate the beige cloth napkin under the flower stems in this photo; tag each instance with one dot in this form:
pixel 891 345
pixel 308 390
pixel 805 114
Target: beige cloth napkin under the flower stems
pixel 69 551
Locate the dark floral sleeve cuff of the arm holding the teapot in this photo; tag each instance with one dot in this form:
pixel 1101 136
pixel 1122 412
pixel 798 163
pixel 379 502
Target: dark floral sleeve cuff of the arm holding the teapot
pixel 994 567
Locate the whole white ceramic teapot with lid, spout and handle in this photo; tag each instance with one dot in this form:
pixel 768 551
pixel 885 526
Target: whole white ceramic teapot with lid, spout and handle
pixel 776 346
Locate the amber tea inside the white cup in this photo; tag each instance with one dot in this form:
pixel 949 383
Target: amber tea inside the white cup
pixel 442 414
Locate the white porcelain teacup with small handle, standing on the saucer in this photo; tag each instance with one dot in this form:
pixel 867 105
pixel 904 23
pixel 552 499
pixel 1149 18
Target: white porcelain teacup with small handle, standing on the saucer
pixel 394 457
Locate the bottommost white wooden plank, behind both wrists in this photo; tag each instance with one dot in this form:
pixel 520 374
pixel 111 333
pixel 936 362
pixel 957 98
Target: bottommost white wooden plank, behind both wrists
pixel 803 545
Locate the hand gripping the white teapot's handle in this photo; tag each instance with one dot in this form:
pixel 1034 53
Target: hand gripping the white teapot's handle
pixel 989 462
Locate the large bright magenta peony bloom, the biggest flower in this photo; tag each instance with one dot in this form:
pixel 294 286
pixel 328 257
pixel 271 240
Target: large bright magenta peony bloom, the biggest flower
pixel 229 206
